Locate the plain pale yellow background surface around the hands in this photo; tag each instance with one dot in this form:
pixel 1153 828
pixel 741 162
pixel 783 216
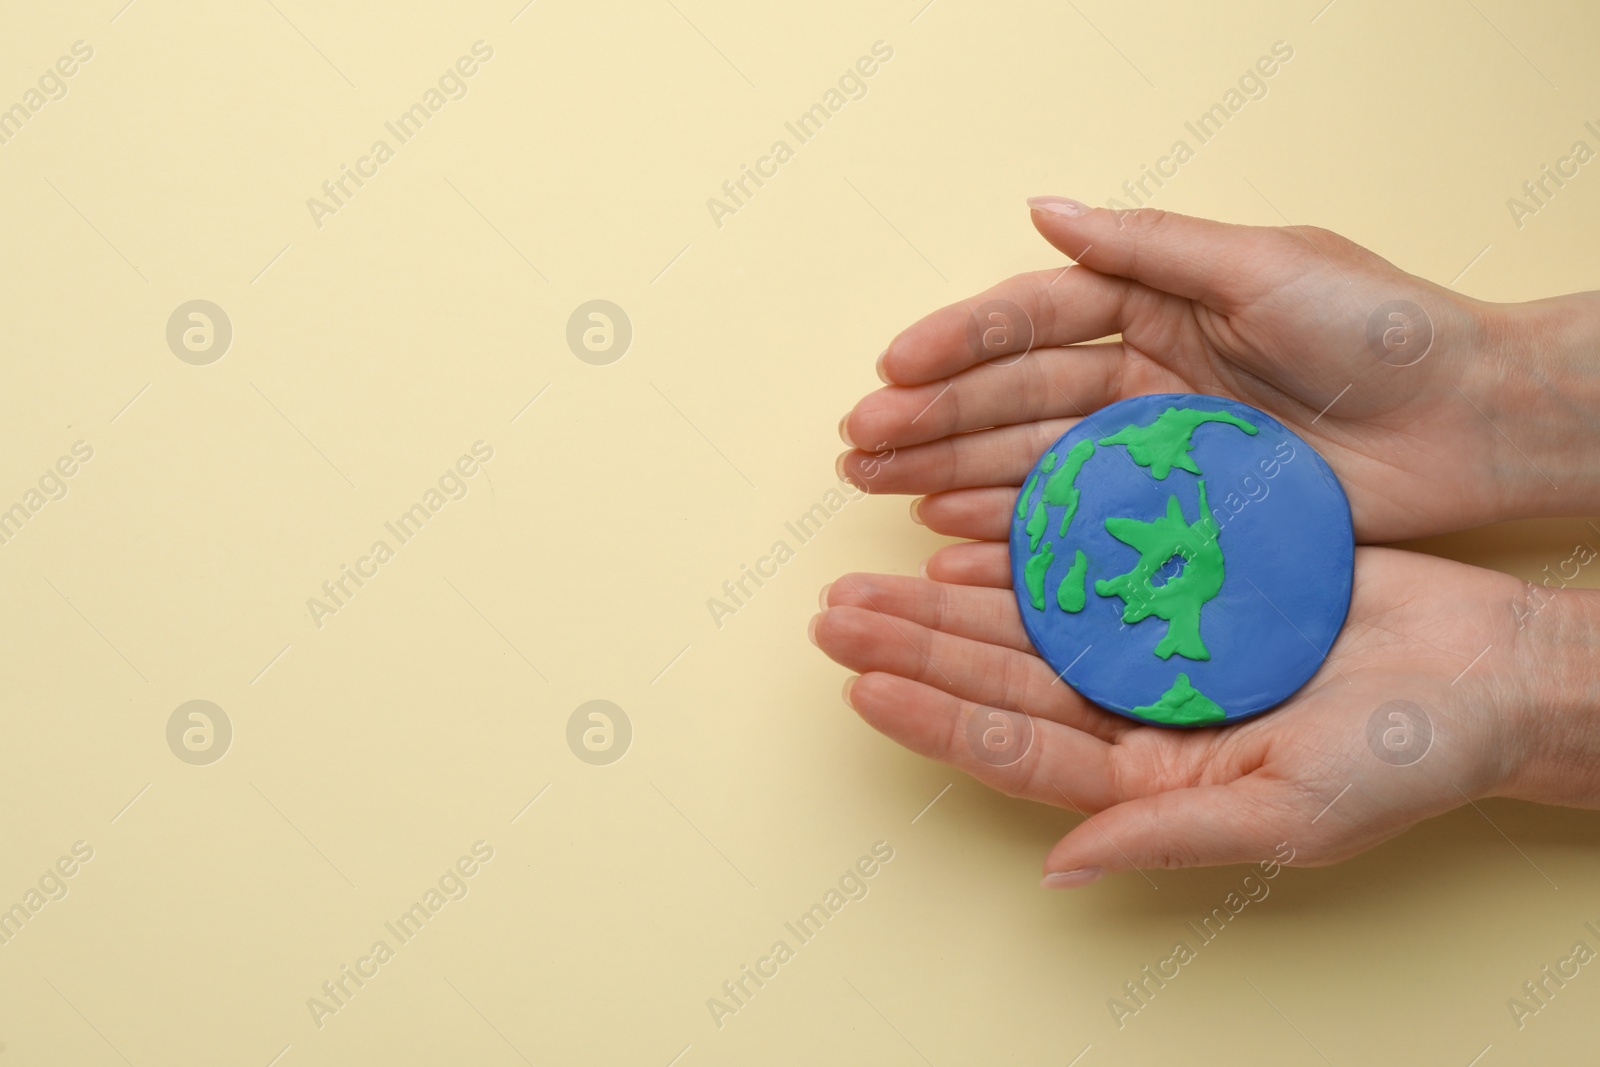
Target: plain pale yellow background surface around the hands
pixel 425 316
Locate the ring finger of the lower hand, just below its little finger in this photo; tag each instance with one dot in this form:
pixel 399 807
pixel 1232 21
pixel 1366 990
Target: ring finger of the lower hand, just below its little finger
pixel 982 615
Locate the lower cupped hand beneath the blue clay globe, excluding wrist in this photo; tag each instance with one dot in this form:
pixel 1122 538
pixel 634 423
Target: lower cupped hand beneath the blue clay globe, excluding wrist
pixel 1414 713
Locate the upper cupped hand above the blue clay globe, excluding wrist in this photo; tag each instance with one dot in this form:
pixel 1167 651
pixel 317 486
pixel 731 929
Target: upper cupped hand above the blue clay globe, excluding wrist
pixel 1399 383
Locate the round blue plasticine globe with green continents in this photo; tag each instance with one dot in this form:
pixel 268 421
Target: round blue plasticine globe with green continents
pixel 1183 561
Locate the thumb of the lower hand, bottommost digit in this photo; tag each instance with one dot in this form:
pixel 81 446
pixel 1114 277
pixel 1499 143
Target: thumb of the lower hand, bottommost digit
pixel 1183 828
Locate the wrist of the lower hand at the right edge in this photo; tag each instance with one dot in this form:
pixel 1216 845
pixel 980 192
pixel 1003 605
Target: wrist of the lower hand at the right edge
pixel 1553 737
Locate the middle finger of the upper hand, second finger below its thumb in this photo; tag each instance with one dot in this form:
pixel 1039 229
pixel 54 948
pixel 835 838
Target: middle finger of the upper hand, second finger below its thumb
pixel 1044 385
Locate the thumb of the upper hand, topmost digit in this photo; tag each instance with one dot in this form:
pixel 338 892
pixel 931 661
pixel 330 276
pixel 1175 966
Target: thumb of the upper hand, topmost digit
pixel 1220 265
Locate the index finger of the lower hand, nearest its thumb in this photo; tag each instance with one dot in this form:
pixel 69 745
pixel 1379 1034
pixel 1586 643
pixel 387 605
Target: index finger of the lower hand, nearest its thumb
pixel 1023 757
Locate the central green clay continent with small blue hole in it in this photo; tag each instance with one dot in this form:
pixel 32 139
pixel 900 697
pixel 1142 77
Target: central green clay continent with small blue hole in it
pixel 1180 601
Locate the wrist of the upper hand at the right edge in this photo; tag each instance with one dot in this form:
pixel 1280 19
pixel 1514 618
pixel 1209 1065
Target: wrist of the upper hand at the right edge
pixel 1540 386
